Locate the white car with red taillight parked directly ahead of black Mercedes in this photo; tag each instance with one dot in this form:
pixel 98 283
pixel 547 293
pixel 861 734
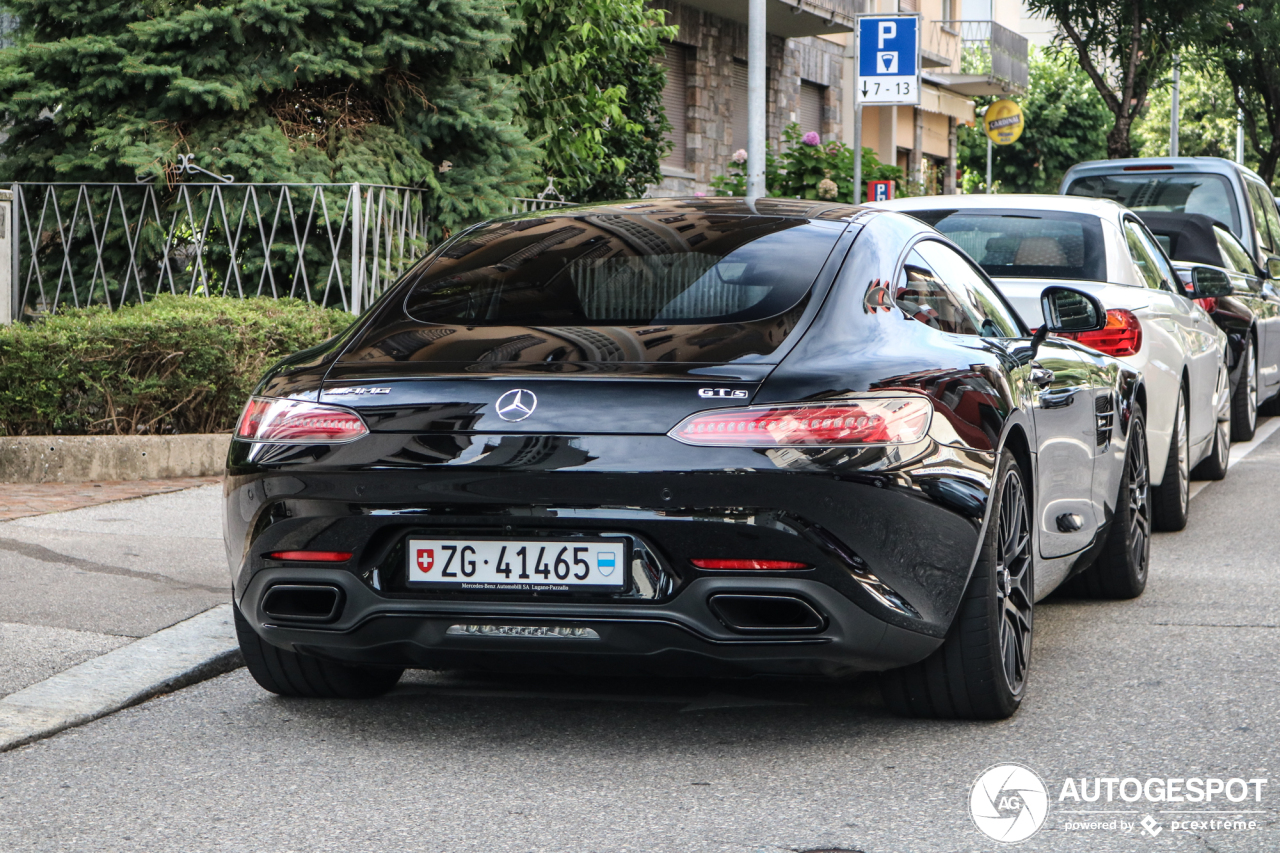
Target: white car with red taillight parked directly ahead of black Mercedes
pixel 1028 243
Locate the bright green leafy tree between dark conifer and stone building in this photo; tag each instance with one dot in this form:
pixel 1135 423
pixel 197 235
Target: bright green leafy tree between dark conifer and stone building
pixel 592 93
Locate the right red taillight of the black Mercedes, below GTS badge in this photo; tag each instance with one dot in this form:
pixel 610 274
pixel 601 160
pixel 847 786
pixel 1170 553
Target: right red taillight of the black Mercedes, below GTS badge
pixel 875 421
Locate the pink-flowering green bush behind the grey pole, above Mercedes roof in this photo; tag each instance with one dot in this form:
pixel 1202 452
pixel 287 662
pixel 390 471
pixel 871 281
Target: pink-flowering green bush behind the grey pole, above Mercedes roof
pixel 816 171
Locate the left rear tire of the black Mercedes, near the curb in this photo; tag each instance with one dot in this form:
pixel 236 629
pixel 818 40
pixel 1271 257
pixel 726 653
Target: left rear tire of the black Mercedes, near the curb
pixel 299 676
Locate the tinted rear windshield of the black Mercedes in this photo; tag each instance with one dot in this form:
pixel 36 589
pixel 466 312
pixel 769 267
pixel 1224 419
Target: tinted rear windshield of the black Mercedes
pixel 611 270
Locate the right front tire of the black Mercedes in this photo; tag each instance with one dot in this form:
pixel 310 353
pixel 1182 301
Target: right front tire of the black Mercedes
pixel 1121 571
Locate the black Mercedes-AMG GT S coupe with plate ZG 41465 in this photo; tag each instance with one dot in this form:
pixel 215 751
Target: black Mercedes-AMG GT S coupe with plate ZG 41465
pixel 685 437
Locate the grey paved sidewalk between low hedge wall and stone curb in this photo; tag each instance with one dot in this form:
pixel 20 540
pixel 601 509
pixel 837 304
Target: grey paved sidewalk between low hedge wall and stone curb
pixel 80 583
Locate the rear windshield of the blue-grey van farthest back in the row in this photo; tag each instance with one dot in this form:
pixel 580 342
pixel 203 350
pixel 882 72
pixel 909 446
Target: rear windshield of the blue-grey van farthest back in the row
pixel 1165 191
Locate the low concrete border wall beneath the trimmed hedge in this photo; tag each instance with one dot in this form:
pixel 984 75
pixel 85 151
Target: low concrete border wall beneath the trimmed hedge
pixel 77 459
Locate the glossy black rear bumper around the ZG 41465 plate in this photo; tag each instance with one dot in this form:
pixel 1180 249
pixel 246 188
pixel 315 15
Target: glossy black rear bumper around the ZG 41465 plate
pixel 890 539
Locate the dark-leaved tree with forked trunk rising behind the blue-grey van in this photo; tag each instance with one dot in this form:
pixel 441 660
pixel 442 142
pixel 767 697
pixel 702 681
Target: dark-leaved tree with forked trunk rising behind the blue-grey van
pixel 1126 48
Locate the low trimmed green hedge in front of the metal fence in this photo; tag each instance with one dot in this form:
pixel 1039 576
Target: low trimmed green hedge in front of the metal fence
pixel 173 366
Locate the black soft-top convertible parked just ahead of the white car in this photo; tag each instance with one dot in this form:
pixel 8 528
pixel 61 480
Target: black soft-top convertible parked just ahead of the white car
pixel 1250 316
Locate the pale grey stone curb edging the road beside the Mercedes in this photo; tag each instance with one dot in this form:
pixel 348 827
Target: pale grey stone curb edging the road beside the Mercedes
pixel 191 651
